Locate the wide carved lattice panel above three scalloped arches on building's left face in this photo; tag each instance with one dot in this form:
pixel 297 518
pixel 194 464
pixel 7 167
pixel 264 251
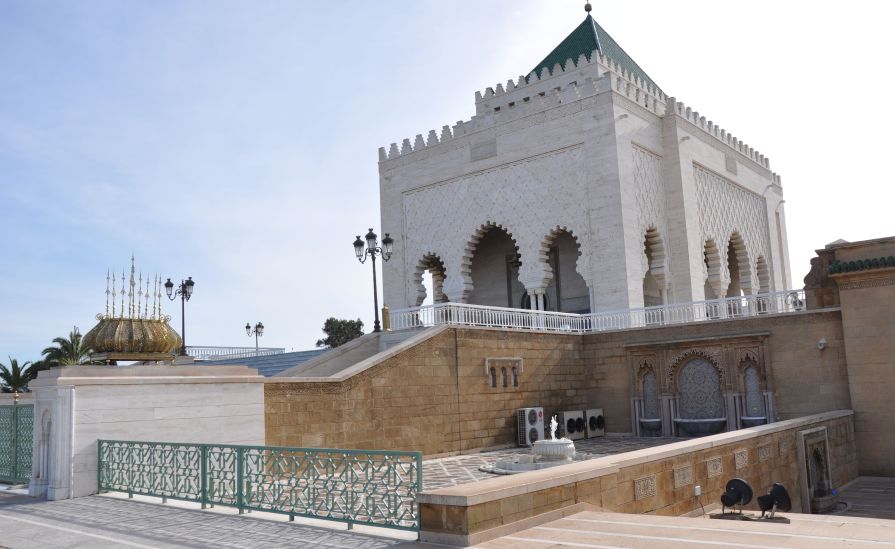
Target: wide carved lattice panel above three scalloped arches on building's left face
pixel 529 199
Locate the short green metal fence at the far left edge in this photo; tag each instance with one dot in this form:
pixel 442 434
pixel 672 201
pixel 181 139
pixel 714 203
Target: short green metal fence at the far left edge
pixel 16 433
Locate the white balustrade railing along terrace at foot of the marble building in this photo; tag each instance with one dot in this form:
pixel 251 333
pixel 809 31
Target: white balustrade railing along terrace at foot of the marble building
pixel 676 313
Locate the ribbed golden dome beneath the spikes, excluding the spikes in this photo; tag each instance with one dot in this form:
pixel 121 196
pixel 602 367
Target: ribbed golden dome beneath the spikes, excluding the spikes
pixel 132 335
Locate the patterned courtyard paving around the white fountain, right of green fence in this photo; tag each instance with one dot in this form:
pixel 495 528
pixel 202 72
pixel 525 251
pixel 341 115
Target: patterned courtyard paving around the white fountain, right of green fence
pixel 456 470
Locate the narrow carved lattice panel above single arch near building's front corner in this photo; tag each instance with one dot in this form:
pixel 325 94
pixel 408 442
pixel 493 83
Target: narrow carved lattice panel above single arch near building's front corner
pixel 649 193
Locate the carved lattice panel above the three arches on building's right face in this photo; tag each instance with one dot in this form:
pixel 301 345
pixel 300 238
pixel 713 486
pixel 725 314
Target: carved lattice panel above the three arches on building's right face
pixel 725 208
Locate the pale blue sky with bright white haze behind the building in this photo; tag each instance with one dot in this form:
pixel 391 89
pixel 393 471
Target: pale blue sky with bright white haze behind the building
pixel 236 142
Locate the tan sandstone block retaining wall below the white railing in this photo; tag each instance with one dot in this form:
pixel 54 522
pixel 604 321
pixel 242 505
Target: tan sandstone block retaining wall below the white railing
pixel 436 398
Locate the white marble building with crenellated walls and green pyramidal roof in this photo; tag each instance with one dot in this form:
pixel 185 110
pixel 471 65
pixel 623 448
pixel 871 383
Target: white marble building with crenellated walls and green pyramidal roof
pixel 581 187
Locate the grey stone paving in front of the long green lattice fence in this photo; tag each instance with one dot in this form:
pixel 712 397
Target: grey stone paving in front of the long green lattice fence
pixel 106 522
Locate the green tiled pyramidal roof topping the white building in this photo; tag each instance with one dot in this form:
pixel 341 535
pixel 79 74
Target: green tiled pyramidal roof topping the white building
pixel 586 38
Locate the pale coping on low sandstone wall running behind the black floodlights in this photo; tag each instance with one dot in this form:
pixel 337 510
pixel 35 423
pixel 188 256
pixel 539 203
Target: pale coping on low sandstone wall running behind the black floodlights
pixel 512 485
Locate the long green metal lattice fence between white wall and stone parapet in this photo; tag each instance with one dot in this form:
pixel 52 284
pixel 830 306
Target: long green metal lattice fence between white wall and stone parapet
pixel 376 488
